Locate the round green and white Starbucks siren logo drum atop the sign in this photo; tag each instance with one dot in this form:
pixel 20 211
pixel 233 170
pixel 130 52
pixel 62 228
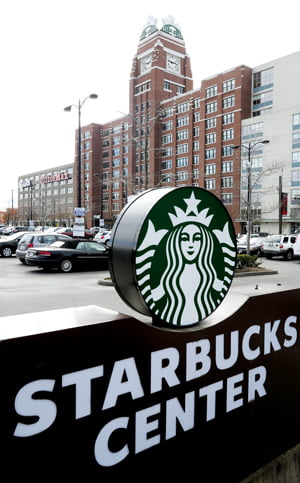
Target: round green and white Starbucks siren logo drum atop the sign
pixel 182 256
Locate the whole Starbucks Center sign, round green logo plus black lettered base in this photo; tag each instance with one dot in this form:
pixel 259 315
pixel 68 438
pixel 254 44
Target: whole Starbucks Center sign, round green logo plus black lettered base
pixel 207 386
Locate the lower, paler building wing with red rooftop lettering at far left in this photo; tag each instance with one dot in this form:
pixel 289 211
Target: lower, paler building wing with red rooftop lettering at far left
pixel 46 197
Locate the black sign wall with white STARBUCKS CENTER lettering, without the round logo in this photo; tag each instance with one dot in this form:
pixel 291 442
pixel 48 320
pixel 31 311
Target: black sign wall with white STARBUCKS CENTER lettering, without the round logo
pixel 121 398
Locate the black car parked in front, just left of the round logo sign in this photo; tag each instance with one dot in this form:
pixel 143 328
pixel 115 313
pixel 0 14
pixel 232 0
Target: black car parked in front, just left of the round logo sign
pixel 69 255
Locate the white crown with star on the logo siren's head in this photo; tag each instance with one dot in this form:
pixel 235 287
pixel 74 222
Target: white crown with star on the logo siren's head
pixel 191 214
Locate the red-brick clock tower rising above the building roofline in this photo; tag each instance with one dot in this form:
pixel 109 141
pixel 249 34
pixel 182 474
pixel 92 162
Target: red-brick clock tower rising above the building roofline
pixel 160 70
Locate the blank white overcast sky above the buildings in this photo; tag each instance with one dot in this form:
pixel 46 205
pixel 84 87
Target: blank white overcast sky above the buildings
pixel 54 53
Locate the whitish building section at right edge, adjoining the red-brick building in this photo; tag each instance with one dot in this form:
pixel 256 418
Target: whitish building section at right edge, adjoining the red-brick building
pixel 274 169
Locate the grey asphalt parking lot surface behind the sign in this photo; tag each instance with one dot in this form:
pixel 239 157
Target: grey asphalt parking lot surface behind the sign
pixel 25 289
